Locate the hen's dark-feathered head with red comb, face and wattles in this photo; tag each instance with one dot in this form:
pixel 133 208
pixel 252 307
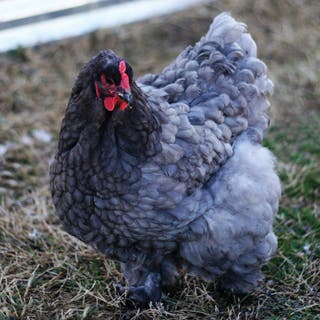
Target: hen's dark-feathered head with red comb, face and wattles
pixel 112 81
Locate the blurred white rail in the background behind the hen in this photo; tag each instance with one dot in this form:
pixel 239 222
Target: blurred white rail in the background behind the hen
pixel 29 22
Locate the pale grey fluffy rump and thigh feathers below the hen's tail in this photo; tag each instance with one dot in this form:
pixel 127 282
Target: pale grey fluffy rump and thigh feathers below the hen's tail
pixel 239 239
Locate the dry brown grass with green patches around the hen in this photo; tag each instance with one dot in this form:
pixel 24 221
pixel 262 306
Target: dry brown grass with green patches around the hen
pixel 47 274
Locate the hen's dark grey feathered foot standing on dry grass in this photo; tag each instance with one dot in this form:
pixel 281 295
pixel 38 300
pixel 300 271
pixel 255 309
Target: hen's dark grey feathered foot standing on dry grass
pixel 144 294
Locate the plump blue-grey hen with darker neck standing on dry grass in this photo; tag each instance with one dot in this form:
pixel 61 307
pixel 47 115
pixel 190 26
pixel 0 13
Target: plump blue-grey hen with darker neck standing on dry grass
pixel 168 172
